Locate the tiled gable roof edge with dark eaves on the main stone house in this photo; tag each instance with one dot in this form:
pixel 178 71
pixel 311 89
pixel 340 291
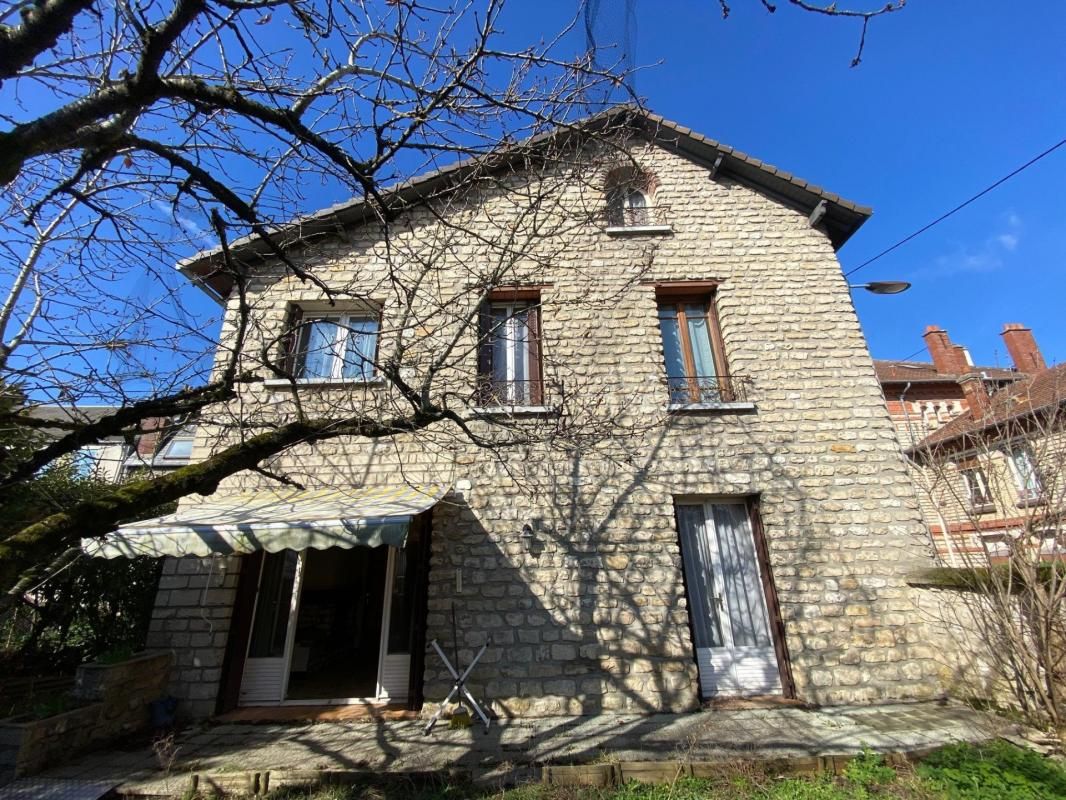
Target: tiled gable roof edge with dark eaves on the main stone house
pixel 842 220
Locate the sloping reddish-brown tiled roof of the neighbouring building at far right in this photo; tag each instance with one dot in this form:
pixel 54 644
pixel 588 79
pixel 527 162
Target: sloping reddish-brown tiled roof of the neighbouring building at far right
pixel 1046 390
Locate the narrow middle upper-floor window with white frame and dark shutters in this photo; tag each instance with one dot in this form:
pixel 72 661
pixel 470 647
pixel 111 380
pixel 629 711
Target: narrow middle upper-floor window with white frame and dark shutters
pixel 509 363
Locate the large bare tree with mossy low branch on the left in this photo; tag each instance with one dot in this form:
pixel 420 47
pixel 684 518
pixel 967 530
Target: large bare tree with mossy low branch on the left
pixel 136 134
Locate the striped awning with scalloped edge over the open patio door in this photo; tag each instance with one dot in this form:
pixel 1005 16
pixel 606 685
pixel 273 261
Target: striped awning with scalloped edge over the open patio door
pixel 273 521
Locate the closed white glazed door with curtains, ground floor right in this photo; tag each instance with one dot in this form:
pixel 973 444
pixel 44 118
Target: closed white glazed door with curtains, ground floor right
pixel 728 604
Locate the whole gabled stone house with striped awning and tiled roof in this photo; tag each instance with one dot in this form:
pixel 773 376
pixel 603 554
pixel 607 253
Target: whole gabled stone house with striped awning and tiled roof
pixel 674 477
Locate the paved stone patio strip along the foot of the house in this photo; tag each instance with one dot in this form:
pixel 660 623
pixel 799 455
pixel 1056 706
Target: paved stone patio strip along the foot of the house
pixel 518 748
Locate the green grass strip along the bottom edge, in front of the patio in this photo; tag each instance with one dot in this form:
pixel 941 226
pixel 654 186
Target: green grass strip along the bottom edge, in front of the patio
pixel 994 772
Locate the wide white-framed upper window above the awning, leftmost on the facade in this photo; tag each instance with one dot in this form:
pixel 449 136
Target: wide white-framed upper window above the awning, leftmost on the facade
pixel 335 347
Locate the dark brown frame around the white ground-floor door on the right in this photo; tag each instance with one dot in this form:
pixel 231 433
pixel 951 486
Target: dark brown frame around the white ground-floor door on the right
pixel 777 623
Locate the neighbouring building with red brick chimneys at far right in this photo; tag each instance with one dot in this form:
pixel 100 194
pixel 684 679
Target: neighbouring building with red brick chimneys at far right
pixel 984 444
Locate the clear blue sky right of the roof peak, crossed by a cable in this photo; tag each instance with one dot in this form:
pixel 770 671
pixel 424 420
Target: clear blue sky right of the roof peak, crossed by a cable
pixel 950 98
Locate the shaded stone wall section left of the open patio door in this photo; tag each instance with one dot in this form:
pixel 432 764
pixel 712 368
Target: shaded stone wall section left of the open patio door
pixel 191 621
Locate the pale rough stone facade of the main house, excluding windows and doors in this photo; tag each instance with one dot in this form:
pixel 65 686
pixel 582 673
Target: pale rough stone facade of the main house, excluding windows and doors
pixel 590 614
